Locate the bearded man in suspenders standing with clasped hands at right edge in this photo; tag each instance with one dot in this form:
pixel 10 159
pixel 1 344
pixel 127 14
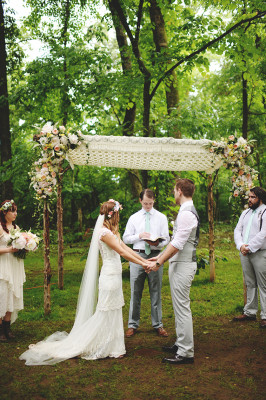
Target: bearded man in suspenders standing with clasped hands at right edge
pixel 250 240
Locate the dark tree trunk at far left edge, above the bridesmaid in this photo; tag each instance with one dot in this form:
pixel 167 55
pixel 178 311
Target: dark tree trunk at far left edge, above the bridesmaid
pixel 5 137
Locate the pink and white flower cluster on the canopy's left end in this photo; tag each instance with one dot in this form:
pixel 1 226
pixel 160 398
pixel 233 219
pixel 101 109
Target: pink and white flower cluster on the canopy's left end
pixel 55 143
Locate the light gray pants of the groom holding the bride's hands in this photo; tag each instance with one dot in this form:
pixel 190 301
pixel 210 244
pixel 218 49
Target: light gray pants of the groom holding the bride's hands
pixel 181 275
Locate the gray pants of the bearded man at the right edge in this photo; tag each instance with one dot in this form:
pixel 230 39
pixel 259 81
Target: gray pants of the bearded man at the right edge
pixel 254 269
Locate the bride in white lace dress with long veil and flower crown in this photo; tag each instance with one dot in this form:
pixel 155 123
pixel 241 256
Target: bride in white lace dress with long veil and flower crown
pixel 96 333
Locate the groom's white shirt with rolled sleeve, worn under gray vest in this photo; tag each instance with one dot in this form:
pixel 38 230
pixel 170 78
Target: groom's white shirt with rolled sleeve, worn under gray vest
pixel 185 222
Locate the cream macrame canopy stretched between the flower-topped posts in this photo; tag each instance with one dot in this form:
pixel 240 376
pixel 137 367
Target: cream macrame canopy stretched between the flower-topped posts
pixel 166 154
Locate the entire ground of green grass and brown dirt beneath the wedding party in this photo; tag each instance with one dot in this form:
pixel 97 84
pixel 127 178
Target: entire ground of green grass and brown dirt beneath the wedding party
pixel 229 358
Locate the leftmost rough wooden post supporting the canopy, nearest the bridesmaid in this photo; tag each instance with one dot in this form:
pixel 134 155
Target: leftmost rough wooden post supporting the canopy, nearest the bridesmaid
pixel 47 265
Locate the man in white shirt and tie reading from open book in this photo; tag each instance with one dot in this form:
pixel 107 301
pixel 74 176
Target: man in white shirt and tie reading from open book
pixel 142 229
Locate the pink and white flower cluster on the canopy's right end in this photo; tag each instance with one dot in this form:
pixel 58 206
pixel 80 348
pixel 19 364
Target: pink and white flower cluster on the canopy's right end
pixel 235 152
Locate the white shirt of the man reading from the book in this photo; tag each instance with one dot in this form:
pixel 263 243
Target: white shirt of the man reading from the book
pixel 136 225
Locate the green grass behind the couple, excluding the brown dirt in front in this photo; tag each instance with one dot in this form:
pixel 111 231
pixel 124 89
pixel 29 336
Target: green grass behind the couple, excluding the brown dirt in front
pixel 222 297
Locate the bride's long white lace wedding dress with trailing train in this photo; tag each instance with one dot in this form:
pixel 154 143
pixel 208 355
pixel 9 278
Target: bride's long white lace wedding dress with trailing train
pixel 101 334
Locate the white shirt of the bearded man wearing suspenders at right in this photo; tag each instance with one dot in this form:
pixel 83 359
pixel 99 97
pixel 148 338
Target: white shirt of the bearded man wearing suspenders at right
pixel 257 237
